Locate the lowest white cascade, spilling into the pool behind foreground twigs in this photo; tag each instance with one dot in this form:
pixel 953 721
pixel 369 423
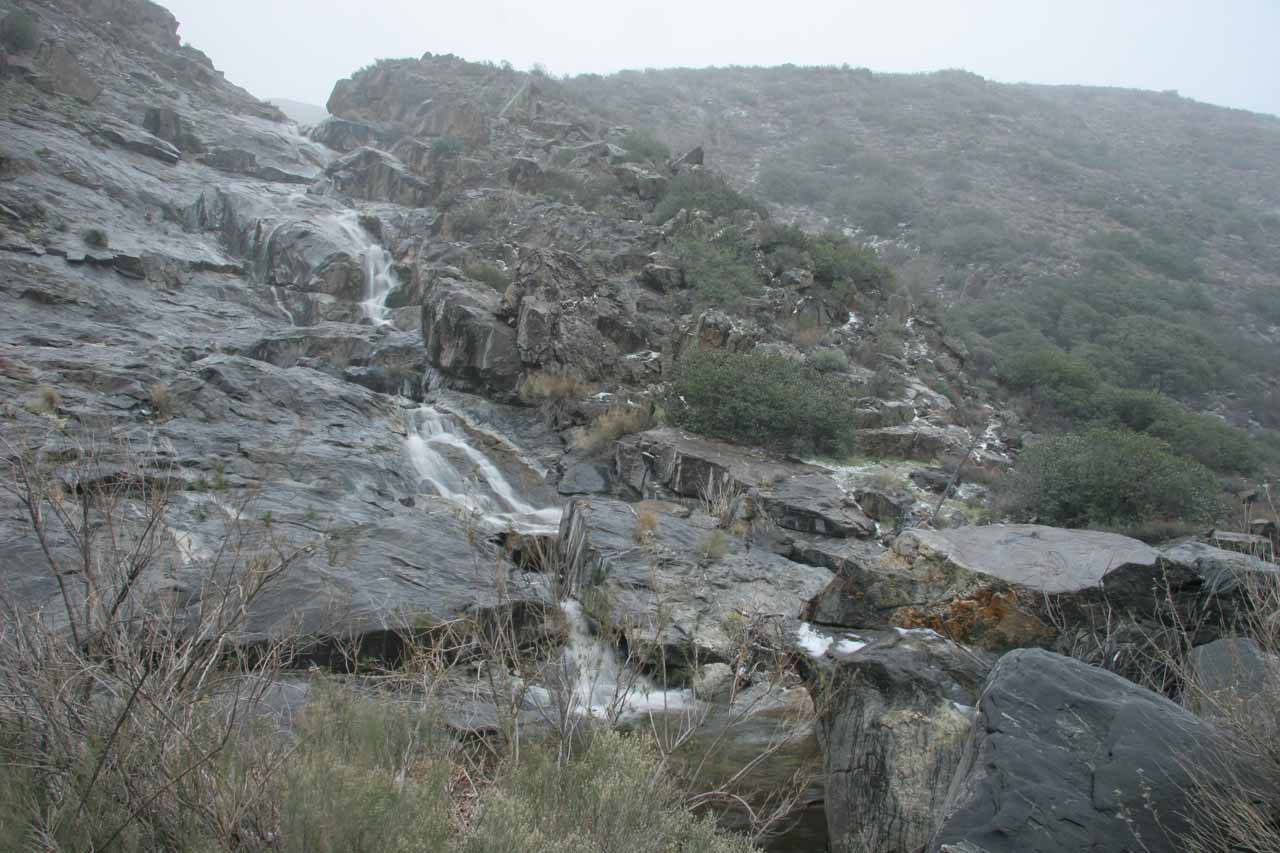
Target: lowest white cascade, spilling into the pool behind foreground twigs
pixel 602 686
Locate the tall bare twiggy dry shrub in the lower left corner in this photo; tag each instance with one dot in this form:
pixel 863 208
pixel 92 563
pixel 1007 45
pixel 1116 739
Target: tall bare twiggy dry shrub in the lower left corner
pixel 120 700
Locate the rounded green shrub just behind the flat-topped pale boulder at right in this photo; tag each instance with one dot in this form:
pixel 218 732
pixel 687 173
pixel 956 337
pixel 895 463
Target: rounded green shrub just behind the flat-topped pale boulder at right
pixel 1105 477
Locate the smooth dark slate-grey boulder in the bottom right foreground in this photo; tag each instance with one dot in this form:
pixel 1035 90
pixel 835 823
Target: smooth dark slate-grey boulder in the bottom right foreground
pixel 1068 758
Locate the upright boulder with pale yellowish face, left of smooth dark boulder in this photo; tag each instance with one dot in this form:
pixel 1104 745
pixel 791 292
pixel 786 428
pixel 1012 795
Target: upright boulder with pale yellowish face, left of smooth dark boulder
pixel 893 723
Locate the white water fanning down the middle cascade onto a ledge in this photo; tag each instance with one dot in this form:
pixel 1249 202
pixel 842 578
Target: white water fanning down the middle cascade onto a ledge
pixel 446 462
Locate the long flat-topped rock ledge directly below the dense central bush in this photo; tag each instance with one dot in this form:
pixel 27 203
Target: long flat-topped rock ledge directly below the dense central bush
pixel 797 496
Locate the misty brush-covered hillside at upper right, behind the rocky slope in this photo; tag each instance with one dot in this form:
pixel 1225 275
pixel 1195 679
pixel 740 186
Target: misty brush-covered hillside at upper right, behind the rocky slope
pixel 1133 235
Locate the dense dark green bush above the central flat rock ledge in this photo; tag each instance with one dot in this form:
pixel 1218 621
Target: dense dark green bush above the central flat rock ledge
pixel 762 399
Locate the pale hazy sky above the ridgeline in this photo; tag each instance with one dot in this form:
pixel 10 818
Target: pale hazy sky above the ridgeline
pixel 1224 53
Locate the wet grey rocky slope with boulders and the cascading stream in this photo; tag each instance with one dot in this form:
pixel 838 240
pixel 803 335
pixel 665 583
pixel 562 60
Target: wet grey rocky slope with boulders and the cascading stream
pixel 426 345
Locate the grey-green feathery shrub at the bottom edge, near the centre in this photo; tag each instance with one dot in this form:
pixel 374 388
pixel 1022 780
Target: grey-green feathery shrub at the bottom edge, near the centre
pixel 610 799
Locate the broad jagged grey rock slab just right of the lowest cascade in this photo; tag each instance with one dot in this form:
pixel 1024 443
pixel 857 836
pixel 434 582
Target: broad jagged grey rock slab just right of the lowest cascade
pixel 676 587
